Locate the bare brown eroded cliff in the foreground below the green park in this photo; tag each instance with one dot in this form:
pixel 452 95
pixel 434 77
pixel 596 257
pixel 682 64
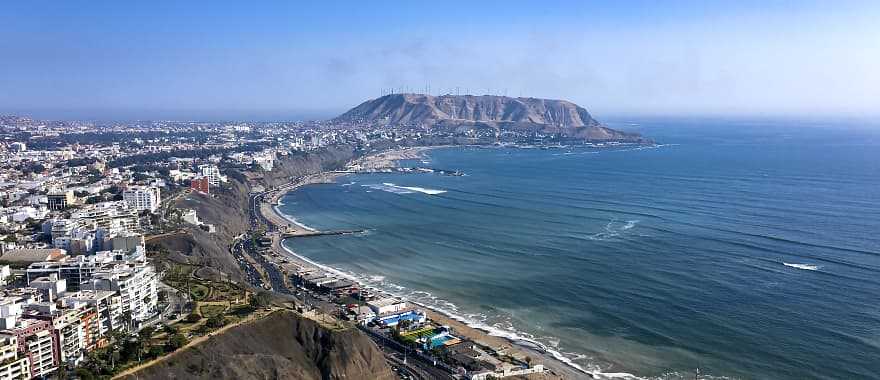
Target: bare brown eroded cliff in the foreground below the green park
pixel 280 346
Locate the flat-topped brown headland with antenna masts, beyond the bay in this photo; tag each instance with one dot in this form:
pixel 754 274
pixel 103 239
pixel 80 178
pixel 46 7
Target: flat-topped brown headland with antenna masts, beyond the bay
pixel 463 112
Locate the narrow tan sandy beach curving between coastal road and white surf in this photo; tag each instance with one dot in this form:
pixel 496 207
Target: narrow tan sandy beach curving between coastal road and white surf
pixel 287 224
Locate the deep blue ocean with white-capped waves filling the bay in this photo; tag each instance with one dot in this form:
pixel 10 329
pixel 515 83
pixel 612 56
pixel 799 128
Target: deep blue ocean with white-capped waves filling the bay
pixel 747 249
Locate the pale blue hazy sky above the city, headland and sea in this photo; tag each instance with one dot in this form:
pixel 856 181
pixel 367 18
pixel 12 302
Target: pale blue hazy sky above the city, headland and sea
pixel 276 60
